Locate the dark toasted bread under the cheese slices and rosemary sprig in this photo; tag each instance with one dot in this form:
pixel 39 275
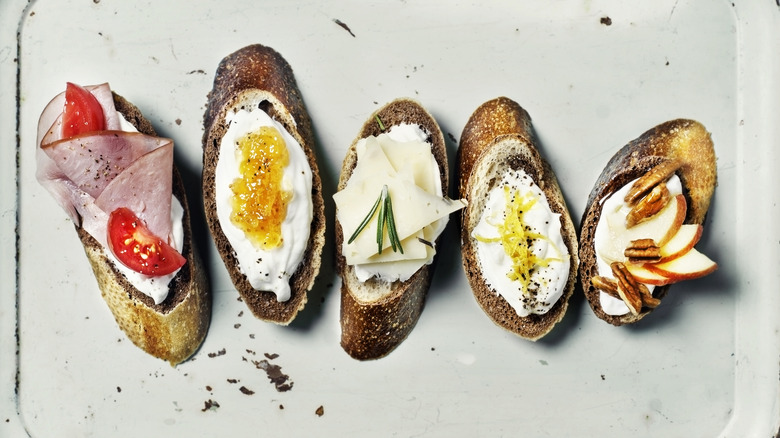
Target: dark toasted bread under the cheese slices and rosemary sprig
pixel 370 327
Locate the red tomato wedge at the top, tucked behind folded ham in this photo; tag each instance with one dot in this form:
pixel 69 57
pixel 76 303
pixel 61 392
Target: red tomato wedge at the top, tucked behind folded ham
pixel 82 112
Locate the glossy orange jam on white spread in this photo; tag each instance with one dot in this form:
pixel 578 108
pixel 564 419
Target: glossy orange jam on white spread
pixel 259 198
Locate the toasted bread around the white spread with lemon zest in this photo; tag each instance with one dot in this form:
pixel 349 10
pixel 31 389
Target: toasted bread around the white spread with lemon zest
pixel 498 138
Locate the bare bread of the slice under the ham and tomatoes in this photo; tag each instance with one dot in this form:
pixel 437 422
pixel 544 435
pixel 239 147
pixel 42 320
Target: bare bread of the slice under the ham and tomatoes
pixel 174 329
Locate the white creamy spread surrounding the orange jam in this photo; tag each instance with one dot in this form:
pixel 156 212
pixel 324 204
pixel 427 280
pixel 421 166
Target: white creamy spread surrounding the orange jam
pixel 266 270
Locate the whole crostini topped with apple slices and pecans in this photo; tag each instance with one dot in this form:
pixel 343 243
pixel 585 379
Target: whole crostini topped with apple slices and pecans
pixel 643 218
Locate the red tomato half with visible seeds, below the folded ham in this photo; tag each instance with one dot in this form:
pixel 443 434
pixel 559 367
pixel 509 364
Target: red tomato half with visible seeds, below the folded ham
pixel 137 248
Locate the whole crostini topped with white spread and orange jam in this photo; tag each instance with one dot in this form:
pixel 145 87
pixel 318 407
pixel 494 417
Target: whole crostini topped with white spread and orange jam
pixel 261 187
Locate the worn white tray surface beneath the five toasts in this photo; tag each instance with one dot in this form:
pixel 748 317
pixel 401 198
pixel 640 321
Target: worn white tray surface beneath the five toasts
pixel 704 364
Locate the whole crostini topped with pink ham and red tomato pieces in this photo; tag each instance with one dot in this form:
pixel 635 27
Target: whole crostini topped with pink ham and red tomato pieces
pixel 102 161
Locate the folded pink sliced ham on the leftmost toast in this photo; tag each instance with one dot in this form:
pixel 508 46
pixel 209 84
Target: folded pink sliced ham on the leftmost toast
pixel 92 174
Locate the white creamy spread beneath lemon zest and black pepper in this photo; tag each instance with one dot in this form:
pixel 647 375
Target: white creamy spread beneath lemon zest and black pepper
pixel 547 279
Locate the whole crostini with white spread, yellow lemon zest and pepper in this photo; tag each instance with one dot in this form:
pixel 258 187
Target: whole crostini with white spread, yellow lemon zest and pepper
pixel 518 242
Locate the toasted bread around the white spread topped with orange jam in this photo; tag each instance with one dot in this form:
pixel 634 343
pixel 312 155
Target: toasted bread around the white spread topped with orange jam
pixel 250 77
